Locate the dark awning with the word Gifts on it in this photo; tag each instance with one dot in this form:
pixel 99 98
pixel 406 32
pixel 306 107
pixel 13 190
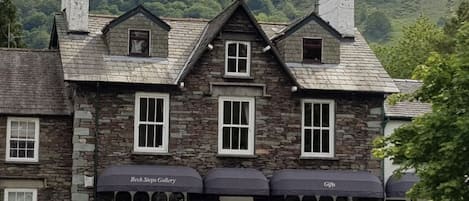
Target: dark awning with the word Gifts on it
pixel 326 183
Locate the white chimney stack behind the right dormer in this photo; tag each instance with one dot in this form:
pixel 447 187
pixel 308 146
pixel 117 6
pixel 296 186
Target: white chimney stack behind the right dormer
pixel 340 14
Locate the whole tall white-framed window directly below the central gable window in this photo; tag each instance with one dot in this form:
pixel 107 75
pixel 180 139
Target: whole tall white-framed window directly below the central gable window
pixel 236 125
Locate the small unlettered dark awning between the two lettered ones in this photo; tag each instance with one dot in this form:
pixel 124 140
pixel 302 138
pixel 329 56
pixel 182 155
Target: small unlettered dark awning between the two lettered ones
pixel 236 181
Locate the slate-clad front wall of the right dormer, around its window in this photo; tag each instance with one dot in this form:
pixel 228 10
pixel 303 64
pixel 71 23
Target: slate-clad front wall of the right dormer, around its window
pixel 291 47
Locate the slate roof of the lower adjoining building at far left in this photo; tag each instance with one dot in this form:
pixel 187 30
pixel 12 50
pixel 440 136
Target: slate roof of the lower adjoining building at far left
pixel 32 83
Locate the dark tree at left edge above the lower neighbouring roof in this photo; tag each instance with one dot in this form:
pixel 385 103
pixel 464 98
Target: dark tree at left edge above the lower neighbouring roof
pixel 9 27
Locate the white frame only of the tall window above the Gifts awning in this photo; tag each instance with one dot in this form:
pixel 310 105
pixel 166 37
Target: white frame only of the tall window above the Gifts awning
pixel 332 117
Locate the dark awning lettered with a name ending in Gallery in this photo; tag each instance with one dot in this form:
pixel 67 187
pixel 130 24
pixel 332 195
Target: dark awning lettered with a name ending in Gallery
pixel 150 178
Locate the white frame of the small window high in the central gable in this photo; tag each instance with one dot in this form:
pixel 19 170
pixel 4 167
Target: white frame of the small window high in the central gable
pixel 237 57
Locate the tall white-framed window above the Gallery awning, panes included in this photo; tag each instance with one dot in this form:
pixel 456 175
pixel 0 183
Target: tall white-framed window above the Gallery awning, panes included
pixel 151 128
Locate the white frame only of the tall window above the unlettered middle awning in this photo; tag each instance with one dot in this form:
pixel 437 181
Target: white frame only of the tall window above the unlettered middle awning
pixel 251 127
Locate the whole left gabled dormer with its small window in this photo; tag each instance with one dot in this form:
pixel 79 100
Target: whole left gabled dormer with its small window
pixel 137 33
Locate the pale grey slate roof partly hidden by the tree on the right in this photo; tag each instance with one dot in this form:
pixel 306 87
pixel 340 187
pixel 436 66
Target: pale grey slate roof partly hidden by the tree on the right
pixel 407 109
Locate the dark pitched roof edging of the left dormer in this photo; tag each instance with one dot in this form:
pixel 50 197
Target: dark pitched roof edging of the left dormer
pixel 139 9
